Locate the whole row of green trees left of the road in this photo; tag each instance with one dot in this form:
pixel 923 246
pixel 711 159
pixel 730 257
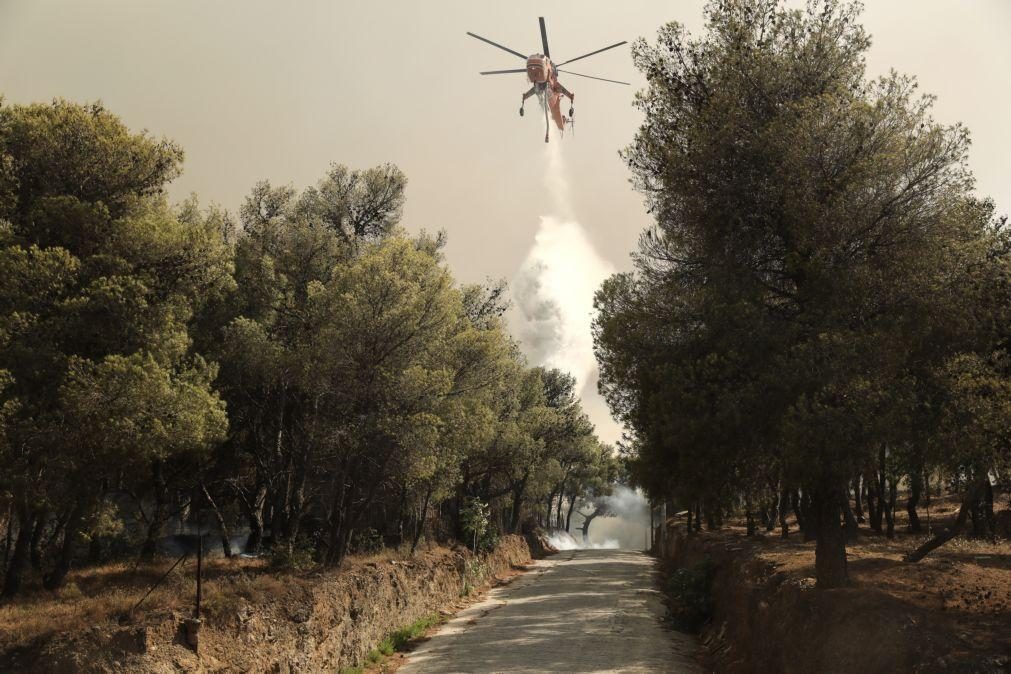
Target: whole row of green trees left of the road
pixel 309 376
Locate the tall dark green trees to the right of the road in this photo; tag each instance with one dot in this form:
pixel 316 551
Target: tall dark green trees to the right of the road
pixel 820 313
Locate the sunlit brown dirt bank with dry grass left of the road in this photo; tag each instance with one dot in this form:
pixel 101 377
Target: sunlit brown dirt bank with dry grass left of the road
pixel 314 624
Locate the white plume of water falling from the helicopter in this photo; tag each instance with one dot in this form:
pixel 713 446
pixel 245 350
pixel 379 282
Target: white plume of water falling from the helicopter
pixel 555 287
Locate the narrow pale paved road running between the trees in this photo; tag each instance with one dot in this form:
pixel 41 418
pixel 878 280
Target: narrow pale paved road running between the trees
pixel 586 611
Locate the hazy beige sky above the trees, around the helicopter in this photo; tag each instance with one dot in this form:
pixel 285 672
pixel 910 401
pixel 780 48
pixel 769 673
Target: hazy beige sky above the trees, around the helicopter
pixel 279 90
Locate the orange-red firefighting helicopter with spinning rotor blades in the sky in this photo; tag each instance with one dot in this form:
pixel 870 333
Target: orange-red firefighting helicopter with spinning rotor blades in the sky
pixel 543 75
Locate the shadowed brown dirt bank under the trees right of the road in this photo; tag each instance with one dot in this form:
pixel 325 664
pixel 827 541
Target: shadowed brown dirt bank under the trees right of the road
pixel 949 614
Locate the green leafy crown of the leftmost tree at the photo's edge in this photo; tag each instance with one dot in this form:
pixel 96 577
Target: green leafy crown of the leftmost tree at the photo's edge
pixel 101 284
